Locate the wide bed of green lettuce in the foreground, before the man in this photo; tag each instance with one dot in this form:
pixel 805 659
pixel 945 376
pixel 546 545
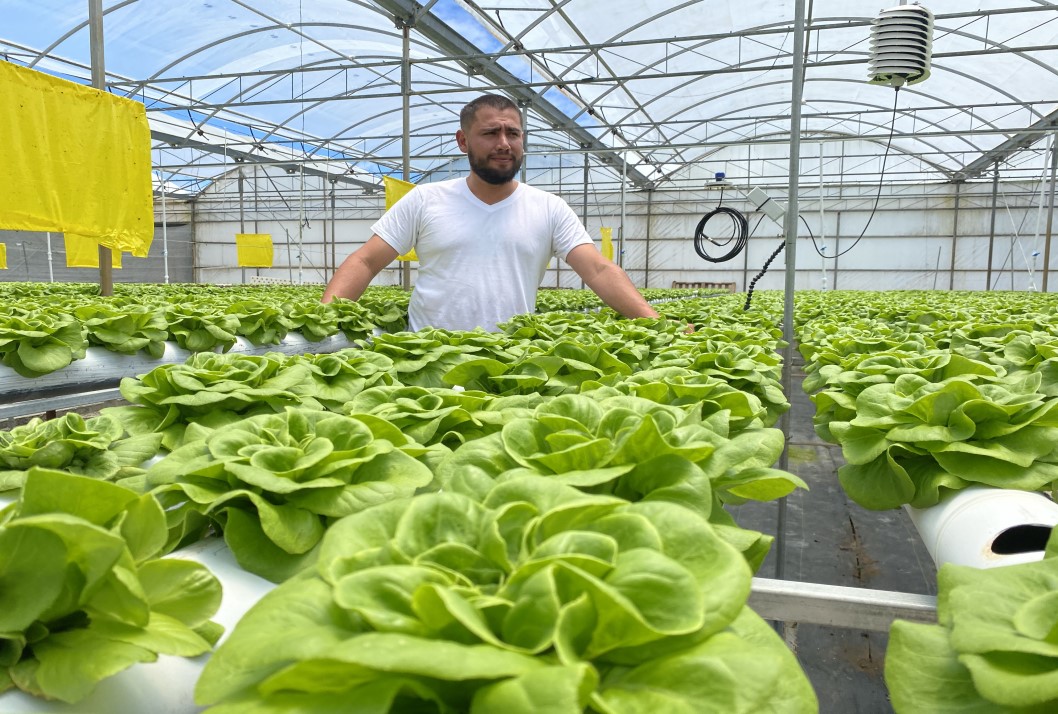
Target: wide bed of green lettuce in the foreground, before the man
pixel 460 522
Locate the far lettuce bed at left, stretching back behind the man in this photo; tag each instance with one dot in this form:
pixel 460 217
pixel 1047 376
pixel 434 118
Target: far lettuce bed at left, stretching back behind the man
pixel 44 327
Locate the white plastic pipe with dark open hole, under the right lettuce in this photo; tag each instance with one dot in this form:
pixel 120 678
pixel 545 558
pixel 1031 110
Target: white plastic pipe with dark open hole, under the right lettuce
pixel 965 526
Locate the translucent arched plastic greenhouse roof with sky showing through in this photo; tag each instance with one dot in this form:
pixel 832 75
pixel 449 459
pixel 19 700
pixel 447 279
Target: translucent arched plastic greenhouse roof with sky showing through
pixel 679 90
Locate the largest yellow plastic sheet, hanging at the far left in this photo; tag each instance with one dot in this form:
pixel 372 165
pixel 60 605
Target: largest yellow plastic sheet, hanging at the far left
pixel 77 160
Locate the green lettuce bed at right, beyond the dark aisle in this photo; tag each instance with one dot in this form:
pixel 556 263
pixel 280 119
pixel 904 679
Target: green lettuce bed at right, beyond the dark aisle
pixel 929 394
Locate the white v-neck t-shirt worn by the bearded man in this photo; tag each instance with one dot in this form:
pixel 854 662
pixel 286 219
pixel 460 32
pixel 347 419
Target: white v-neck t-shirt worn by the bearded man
pixel 480 265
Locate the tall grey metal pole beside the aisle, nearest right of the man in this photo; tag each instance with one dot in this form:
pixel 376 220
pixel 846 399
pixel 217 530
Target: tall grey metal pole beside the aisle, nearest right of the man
pixel 790 228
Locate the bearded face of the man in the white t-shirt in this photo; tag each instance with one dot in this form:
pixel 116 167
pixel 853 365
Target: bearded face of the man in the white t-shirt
pixel 494 145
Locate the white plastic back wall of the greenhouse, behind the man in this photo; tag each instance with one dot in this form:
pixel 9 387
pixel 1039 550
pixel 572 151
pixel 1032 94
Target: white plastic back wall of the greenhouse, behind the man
pixel 907 245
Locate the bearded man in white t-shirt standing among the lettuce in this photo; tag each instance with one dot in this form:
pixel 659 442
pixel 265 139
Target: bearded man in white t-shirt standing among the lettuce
pixel 484 243
